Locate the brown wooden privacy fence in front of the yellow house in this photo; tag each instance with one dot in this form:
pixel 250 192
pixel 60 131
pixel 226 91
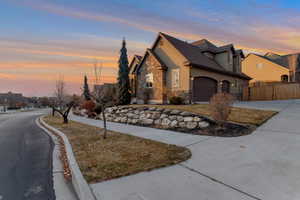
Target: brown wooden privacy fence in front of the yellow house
pixel 272 92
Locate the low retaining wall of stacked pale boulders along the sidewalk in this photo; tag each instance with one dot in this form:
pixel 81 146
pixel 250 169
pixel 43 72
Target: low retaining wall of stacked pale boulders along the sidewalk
pixel 158 117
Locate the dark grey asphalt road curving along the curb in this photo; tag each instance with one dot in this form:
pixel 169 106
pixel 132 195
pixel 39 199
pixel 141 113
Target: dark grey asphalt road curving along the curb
pixel 25 159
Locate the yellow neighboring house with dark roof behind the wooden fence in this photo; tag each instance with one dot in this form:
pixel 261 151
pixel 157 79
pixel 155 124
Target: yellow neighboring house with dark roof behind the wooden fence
pixel 272 67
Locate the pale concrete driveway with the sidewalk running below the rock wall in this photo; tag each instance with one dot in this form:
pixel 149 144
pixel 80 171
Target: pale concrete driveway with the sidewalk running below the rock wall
pixel 263 165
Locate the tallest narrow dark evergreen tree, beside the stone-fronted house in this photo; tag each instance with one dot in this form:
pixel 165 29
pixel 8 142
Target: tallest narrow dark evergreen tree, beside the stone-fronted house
pixel 123 77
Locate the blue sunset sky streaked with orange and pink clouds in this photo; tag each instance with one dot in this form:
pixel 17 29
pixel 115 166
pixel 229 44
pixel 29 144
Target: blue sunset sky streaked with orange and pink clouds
pixel 42 39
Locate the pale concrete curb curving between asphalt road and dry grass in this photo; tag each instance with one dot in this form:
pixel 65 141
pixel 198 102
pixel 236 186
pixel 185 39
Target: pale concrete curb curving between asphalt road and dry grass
pixel 80 185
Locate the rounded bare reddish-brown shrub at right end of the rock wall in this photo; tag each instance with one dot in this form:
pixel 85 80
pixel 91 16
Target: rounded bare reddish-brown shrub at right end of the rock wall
pixel 220 107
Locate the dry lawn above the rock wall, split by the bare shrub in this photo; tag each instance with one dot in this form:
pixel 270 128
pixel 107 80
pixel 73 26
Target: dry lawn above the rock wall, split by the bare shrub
pixel 238 115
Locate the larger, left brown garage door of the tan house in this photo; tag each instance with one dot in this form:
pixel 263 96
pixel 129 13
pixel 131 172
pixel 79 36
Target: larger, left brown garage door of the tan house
pixel 204 88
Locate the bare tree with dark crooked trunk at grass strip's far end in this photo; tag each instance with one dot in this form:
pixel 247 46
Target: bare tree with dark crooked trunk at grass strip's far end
pixel 63 103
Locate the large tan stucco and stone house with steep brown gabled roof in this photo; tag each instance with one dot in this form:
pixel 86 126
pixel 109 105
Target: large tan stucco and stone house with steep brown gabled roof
pixel 195 71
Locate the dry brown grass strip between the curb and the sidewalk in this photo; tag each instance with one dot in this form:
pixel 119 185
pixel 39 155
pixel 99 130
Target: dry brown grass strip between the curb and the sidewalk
pixel 119 155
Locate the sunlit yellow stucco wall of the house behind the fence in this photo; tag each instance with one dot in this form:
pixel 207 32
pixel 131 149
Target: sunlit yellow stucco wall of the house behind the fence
pixel 262 70
